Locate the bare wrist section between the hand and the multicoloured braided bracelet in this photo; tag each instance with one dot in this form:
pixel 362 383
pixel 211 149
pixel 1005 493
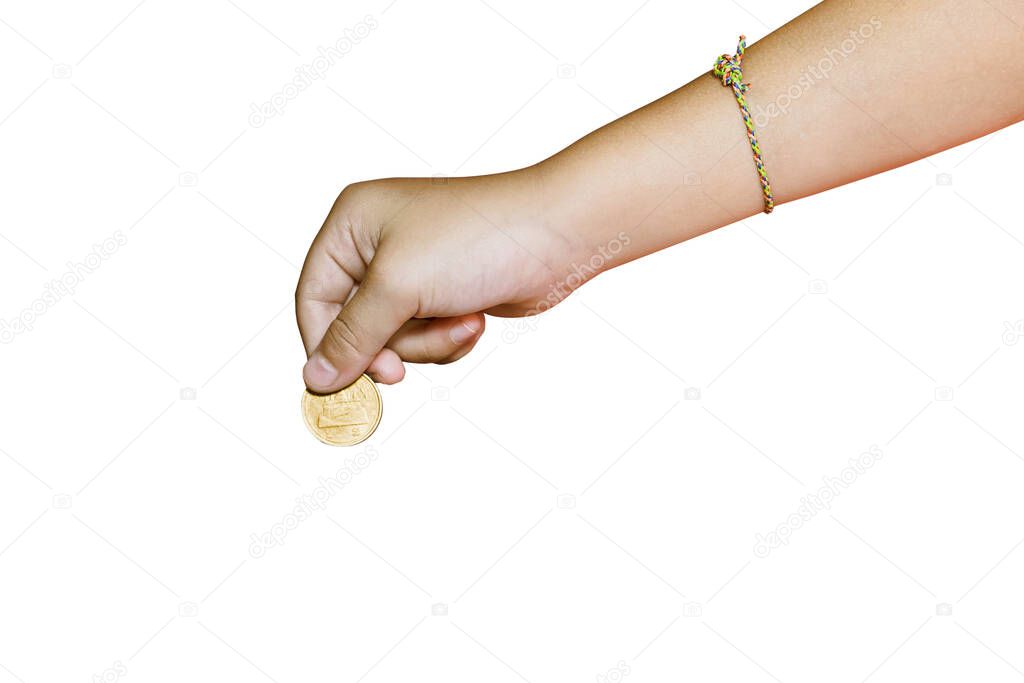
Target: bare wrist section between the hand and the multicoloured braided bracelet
pixel 661 176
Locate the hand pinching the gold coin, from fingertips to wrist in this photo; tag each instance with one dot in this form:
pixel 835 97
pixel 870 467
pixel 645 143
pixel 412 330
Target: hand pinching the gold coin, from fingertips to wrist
pixel 404 270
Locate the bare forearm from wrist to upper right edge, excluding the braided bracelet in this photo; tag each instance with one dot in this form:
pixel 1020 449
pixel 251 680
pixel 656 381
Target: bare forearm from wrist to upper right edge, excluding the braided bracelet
pixel 849 90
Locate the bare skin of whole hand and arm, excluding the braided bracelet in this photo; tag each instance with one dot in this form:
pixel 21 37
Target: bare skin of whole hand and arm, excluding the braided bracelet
pixel 405 270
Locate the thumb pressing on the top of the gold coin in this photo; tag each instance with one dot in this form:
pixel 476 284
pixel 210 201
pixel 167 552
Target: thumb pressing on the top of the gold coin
pixel 363 328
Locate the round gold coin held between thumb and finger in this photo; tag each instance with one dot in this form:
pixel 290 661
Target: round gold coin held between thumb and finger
pixel 346 417
